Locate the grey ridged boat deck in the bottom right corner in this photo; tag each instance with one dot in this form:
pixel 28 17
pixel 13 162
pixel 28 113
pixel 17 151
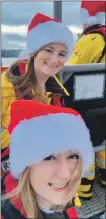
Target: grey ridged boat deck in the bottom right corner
pixel 94 208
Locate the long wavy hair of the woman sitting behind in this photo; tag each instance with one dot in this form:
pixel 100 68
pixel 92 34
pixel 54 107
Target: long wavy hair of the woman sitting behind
pixel 24 84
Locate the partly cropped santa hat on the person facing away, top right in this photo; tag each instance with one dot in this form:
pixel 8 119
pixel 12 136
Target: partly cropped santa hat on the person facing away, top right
pixel 93 12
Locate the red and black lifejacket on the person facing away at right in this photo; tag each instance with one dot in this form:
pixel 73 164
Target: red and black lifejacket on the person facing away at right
pixel 100 29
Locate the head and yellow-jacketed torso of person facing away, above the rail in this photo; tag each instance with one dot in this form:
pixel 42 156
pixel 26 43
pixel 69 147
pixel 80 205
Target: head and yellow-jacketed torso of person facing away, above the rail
pixel 90 47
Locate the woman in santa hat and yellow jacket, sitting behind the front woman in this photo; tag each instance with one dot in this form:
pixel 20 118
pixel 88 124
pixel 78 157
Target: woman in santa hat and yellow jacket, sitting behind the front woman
pixel 49 45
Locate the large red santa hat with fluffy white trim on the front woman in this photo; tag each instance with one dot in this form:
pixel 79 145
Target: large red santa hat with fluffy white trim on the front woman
pixel 39 130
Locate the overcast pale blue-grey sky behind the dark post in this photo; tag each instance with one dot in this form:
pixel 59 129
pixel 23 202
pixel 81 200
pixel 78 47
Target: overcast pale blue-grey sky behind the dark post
pixel 17 15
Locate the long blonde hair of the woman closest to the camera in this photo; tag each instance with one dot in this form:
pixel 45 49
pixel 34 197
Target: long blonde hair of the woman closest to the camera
pixel 25 192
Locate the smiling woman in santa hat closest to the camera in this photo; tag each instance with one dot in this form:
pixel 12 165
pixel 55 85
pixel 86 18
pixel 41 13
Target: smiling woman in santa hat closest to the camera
pixel 45 171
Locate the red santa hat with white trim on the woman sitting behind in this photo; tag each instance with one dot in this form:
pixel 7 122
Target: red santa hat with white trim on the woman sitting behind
pixel 44 30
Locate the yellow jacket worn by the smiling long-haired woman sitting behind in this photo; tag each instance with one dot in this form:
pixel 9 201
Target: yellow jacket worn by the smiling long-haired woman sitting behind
pixel 7 97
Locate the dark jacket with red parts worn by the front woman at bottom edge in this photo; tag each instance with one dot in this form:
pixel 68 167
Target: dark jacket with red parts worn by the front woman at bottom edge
pixel 13 208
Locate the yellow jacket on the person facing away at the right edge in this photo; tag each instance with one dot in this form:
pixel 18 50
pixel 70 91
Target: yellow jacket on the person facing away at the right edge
pixel 88 49
